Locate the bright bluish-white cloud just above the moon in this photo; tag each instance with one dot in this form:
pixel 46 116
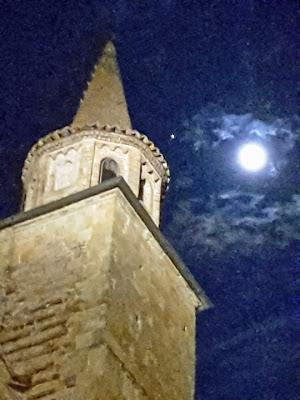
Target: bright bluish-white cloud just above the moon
pixel 211 128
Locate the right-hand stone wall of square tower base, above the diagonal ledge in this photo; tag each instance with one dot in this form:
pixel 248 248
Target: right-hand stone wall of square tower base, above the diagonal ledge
pixel 157 337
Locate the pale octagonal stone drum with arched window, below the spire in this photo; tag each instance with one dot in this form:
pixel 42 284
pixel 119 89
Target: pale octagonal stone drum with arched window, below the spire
pixel 73 163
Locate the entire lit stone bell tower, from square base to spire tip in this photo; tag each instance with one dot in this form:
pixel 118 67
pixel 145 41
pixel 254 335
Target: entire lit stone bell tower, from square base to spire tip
pixel 94 303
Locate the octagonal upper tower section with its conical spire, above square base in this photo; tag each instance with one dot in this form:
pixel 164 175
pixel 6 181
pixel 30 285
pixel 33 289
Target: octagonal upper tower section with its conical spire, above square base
pixel 98 145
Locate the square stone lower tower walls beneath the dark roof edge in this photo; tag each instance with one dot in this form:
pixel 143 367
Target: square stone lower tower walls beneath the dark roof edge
pixel 91 308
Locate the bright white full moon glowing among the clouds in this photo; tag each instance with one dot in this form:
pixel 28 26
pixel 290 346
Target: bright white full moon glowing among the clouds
pixel 252 157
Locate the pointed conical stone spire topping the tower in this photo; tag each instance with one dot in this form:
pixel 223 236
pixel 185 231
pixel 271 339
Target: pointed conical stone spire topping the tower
pixel 104 100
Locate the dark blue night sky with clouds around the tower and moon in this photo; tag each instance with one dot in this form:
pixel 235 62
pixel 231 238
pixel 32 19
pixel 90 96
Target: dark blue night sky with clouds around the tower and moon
pixel 201 78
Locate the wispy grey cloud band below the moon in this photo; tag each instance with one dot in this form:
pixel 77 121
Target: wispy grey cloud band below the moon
pixel 235 222
